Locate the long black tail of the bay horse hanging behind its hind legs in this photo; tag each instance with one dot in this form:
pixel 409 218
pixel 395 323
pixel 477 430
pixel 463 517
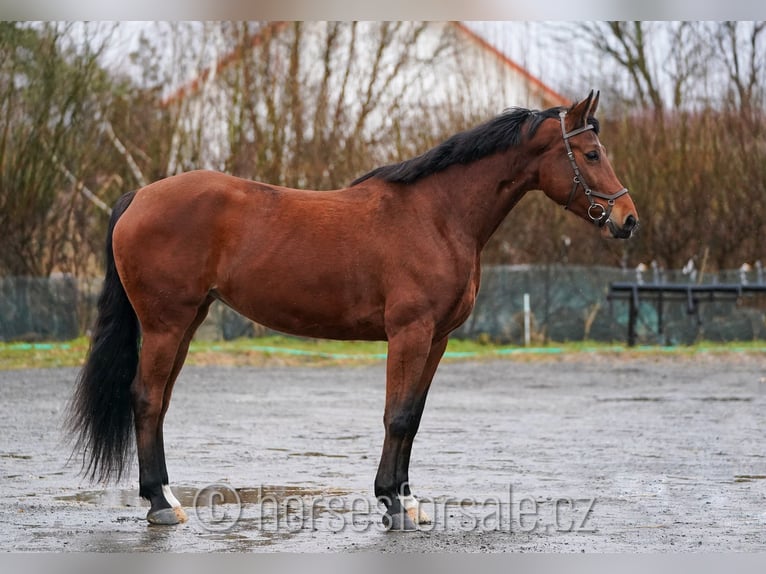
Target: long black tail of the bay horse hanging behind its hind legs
pixel 101 413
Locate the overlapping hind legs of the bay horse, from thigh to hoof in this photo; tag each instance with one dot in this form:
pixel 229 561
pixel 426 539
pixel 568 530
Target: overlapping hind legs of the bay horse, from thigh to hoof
pixel 158 364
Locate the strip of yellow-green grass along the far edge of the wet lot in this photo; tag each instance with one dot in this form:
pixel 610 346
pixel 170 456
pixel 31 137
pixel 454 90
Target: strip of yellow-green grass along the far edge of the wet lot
pixel 281 350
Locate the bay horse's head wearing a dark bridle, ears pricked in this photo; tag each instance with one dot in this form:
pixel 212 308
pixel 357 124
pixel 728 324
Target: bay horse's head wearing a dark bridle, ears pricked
pixel 579 176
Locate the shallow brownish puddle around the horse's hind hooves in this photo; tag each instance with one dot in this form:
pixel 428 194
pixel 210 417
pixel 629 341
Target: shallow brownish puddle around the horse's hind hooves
pixel 186 495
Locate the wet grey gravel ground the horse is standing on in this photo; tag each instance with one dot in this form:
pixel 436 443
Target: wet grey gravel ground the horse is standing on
pixel 602 455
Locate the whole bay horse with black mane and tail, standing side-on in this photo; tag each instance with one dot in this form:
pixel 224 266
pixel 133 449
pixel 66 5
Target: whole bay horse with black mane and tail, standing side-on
pixel 395 256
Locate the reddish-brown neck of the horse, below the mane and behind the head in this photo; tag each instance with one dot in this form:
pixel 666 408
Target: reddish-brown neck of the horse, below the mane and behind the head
pixel 480 194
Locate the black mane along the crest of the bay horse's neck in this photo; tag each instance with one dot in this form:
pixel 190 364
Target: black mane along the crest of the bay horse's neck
pixel 496 135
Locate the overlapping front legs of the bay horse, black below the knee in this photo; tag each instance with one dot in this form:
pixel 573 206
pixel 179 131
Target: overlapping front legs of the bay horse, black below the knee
pixel 412 361
